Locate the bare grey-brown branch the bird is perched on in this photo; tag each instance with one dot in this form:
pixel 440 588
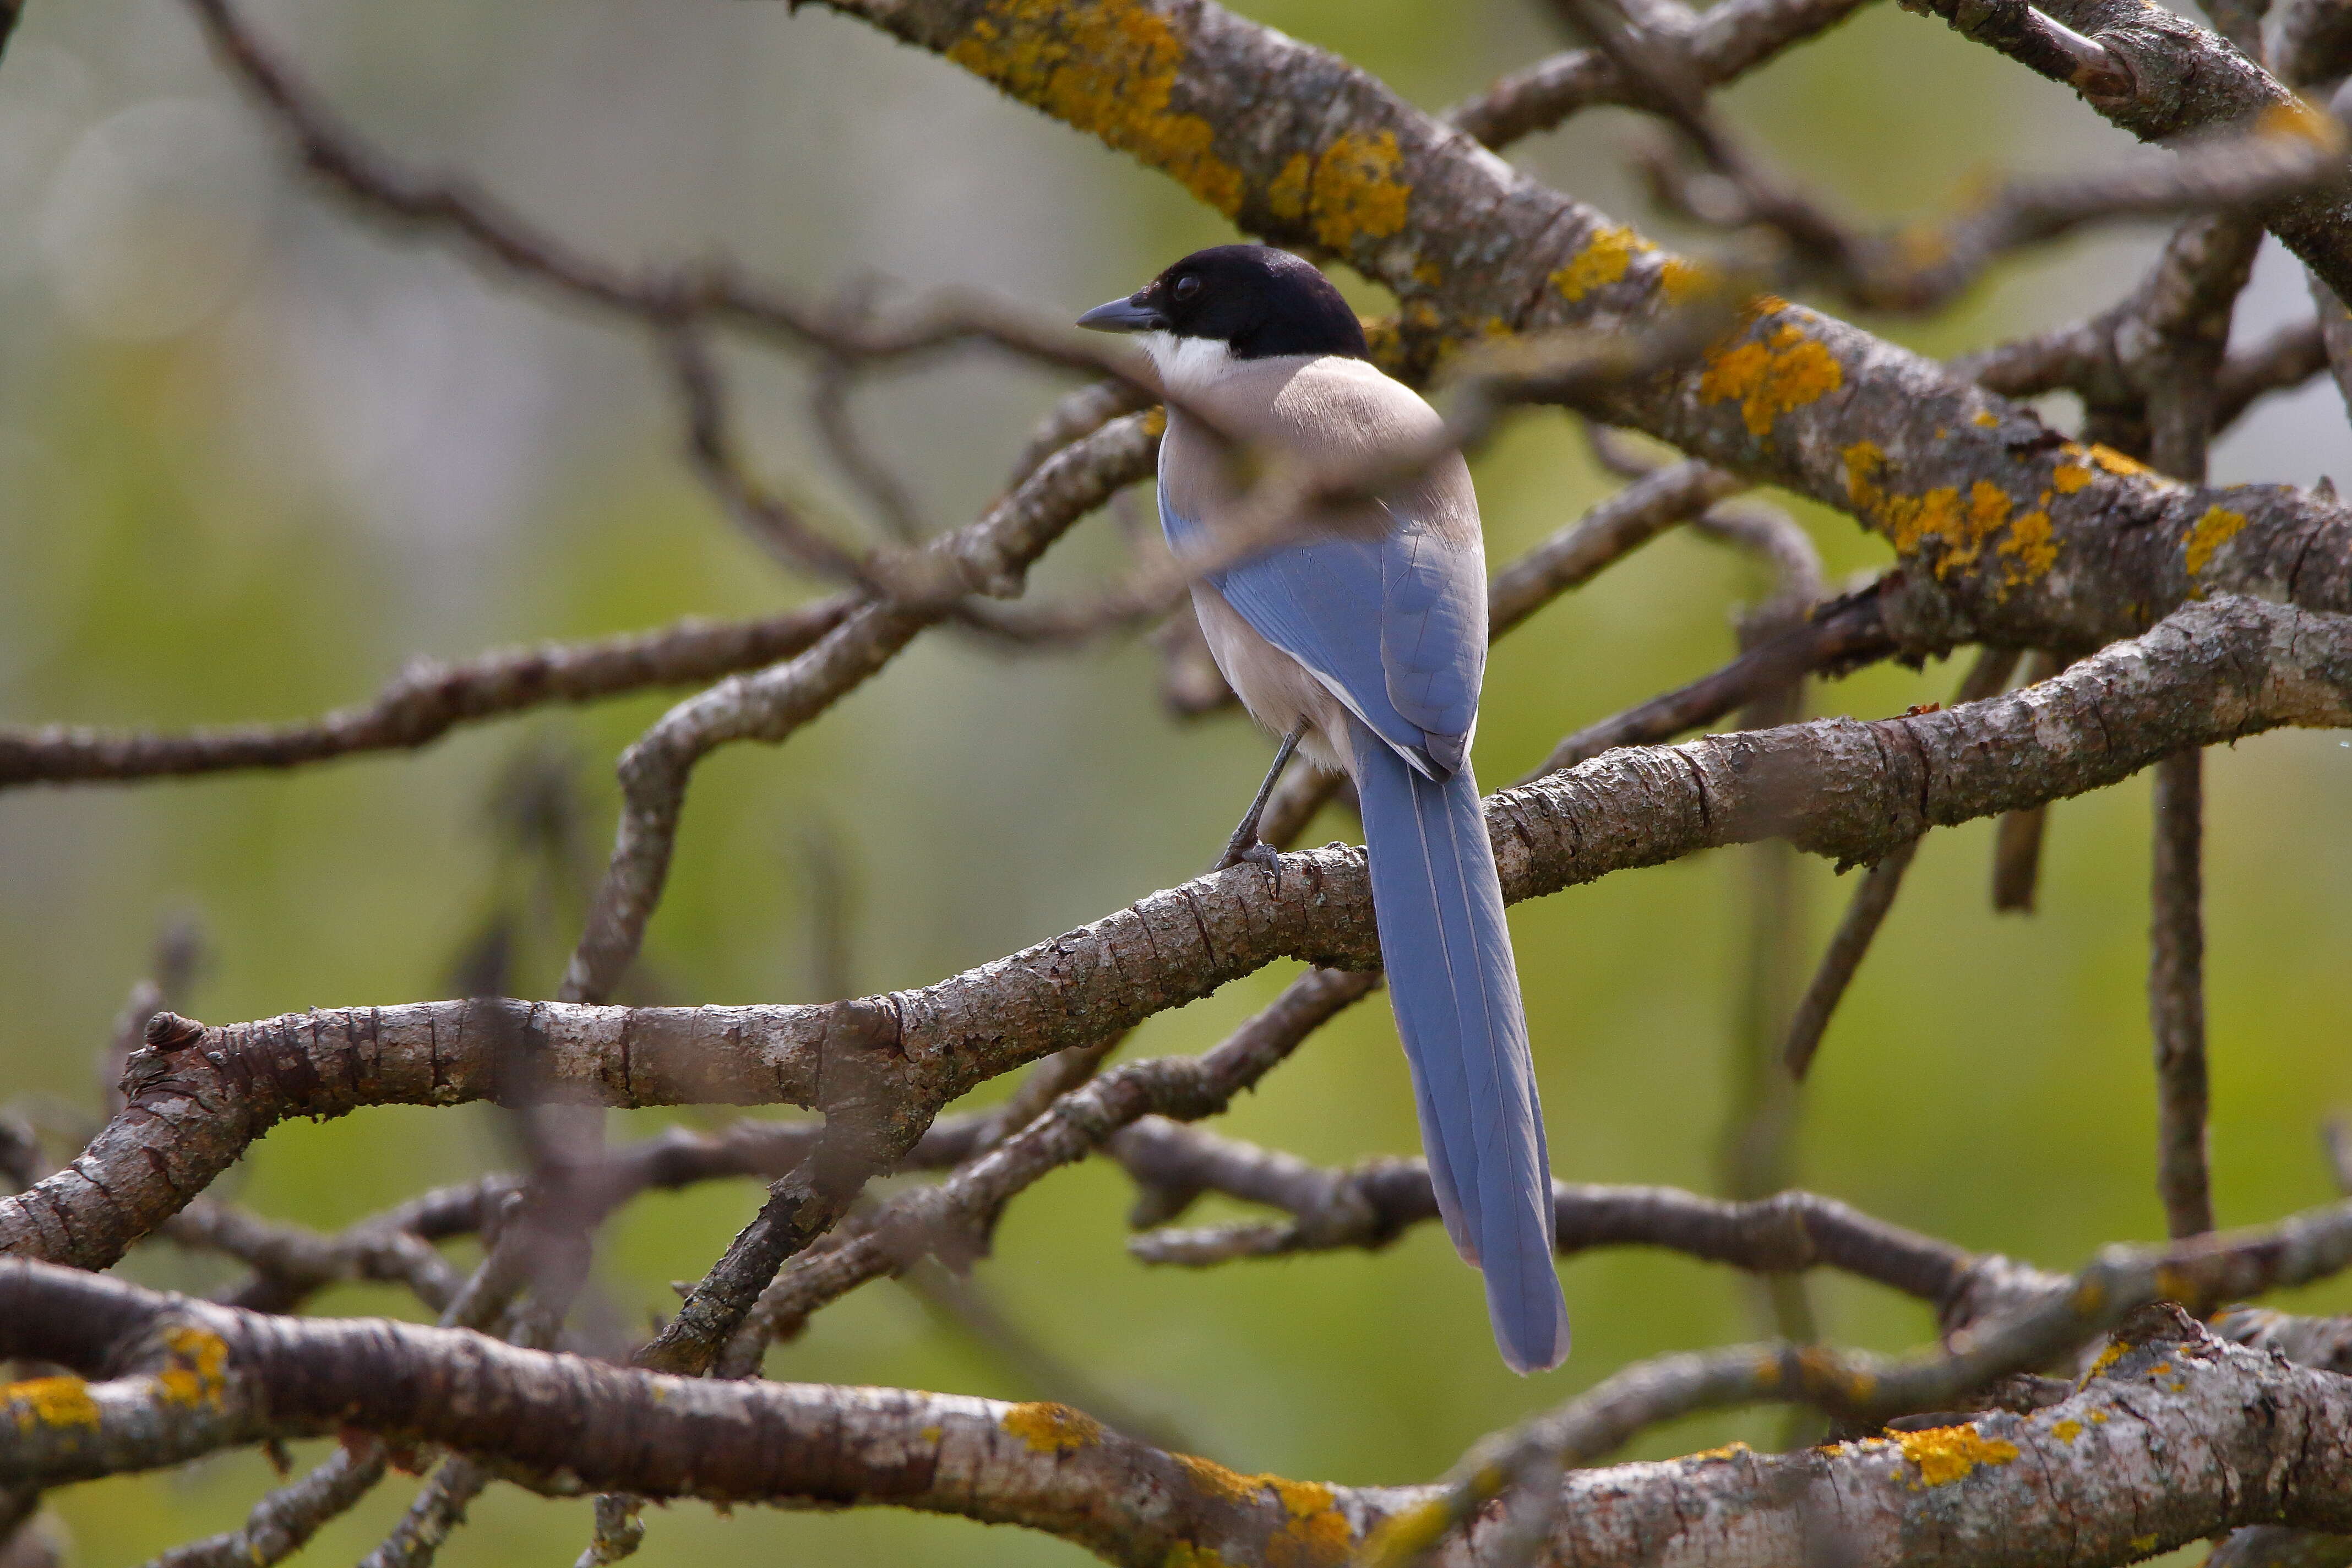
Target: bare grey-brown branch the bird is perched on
pixel 1840 789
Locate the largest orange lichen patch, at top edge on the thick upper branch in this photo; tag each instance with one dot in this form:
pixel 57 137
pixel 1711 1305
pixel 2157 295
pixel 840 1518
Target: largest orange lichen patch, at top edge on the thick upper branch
pixel 1104 67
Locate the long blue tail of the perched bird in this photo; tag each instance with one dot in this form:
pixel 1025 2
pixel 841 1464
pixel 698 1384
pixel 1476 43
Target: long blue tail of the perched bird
pixel 1457 996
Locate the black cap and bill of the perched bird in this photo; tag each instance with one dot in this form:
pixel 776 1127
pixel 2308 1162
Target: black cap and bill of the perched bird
pixel 1252 297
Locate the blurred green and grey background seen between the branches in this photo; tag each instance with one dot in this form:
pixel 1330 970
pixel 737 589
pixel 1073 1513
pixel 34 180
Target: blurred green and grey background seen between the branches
pixel 255 455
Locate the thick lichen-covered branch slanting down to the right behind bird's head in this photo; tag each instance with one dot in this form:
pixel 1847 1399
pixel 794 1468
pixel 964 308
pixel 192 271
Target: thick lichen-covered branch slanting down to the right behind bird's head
pixel 2024 537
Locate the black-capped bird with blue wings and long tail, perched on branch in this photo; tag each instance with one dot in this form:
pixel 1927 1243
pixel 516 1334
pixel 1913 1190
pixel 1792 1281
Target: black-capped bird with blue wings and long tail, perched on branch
pixel 1363 643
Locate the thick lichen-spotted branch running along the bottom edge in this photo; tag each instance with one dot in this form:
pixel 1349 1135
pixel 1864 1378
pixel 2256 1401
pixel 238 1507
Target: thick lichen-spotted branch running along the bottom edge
pixel 2174 1440
